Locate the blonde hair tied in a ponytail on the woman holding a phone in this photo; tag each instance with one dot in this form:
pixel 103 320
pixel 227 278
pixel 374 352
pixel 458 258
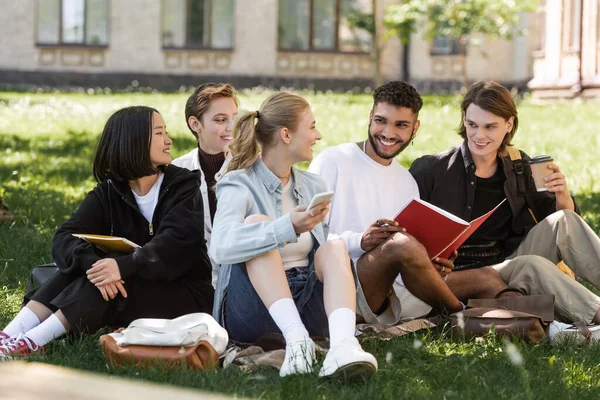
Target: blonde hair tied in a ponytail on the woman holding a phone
pixel 278 111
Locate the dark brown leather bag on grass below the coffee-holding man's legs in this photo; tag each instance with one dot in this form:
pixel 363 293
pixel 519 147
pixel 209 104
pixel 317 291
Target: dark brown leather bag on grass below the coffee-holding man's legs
pixel 524 316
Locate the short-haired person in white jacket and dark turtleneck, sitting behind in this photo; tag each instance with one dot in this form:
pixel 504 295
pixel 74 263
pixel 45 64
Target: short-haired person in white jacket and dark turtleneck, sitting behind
pixel 209 114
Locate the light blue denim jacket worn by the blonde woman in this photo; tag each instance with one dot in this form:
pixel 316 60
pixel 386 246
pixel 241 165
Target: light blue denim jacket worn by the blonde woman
pixel 256 190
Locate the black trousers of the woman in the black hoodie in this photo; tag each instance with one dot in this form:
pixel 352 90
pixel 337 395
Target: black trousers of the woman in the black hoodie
pixel 86 310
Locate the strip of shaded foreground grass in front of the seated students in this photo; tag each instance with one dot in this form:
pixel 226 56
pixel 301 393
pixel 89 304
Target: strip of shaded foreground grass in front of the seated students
pixel 439 368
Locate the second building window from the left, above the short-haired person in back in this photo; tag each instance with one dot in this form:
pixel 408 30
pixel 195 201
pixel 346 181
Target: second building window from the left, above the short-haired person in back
pixel 197 24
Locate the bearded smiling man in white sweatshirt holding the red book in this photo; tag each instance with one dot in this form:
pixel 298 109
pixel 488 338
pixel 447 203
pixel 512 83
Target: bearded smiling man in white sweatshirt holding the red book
pixel 396 276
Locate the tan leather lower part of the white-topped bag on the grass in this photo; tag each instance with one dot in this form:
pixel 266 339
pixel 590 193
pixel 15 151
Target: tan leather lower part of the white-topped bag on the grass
pixel 199 356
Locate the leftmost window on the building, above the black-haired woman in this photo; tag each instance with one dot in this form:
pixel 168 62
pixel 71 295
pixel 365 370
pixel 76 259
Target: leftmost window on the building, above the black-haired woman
pixel 72 22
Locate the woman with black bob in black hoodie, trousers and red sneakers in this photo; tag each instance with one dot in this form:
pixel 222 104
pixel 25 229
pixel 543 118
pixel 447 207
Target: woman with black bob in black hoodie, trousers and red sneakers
pixel 139 197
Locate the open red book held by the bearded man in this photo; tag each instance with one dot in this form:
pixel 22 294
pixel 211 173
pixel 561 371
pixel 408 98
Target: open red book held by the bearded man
pixel 438 230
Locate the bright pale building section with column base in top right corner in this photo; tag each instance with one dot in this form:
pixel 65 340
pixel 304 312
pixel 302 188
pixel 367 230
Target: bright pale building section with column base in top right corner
pixel 567 60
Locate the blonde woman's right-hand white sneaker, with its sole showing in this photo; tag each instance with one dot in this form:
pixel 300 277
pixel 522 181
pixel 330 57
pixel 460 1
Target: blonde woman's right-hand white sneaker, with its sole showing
pixel 348 361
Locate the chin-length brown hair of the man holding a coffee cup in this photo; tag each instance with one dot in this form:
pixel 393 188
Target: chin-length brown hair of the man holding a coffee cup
pixel 494 98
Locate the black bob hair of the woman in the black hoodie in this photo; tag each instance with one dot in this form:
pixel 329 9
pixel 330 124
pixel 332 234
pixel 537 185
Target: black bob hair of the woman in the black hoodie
pixel 123 151
